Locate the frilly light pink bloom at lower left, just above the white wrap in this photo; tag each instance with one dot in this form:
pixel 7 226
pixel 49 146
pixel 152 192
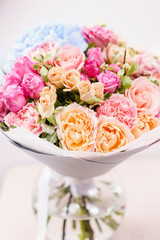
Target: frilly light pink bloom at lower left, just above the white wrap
pixel 27 118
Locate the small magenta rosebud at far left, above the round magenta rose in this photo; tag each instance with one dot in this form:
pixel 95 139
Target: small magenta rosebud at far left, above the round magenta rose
pixel 11 78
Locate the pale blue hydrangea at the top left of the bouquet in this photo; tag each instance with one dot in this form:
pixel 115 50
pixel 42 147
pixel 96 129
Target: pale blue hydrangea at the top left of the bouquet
pixel 64 33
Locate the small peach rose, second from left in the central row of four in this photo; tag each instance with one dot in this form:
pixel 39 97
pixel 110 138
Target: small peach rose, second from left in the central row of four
pixel 70 79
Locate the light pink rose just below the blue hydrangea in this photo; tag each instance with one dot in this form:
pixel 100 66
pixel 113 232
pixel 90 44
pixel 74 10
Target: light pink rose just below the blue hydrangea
pixel 71 57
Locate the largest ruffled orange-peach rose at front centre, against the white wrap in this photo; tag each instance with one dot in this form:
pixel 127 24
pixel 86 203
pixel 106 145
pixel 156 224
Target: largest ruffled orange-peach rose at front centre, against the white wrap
pixel 77 127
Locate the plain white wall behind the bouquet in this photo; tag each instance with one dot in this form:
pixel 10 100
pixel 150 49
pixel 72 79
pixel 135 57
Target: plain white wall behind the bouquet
pixel 137 20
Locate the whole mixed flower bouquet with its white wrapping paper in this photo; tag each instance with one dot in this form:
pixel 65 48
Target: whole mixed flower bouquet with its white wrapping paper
pixel 80 93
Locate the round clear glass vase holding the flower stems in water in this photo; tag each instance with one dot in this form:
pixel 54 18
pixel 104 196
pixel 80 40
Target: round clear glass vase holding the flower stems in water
pixel 88 209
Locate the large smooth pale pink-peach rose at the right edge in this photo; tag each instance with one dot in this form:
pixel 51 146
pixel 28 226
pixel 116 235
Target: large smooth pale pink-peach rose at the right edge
pixel 145 95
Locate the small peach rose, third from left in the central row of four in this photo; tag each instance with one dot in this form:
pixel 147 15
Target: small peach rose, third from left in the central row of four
pixel 86 90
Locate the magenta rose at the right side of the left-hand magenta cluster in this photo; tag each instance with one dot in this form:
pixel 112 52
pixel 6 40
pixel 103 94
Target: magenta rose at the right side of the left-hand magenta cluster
pixel 32 85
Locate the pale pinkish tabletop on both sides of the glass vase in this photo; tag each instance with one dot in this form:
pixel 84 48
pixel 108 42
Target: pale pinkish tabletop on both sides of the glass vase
pixel 140 178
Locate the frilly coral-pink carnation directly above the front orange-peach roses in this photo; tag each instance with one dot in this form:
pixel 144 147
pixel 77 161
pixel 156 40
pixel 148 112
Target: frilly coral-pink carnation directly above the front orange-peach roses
pixel 120 107
